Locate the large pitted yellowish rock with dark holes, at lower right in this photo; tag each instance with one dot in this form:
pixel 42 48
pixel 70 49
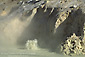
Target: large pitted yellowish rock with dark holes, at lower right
pixel 74 45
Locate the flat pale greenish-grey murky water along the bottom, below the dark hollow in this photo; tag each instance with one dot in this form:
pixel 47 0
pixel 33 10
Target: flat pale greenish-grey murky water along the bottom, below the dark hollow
pixel 30 53
